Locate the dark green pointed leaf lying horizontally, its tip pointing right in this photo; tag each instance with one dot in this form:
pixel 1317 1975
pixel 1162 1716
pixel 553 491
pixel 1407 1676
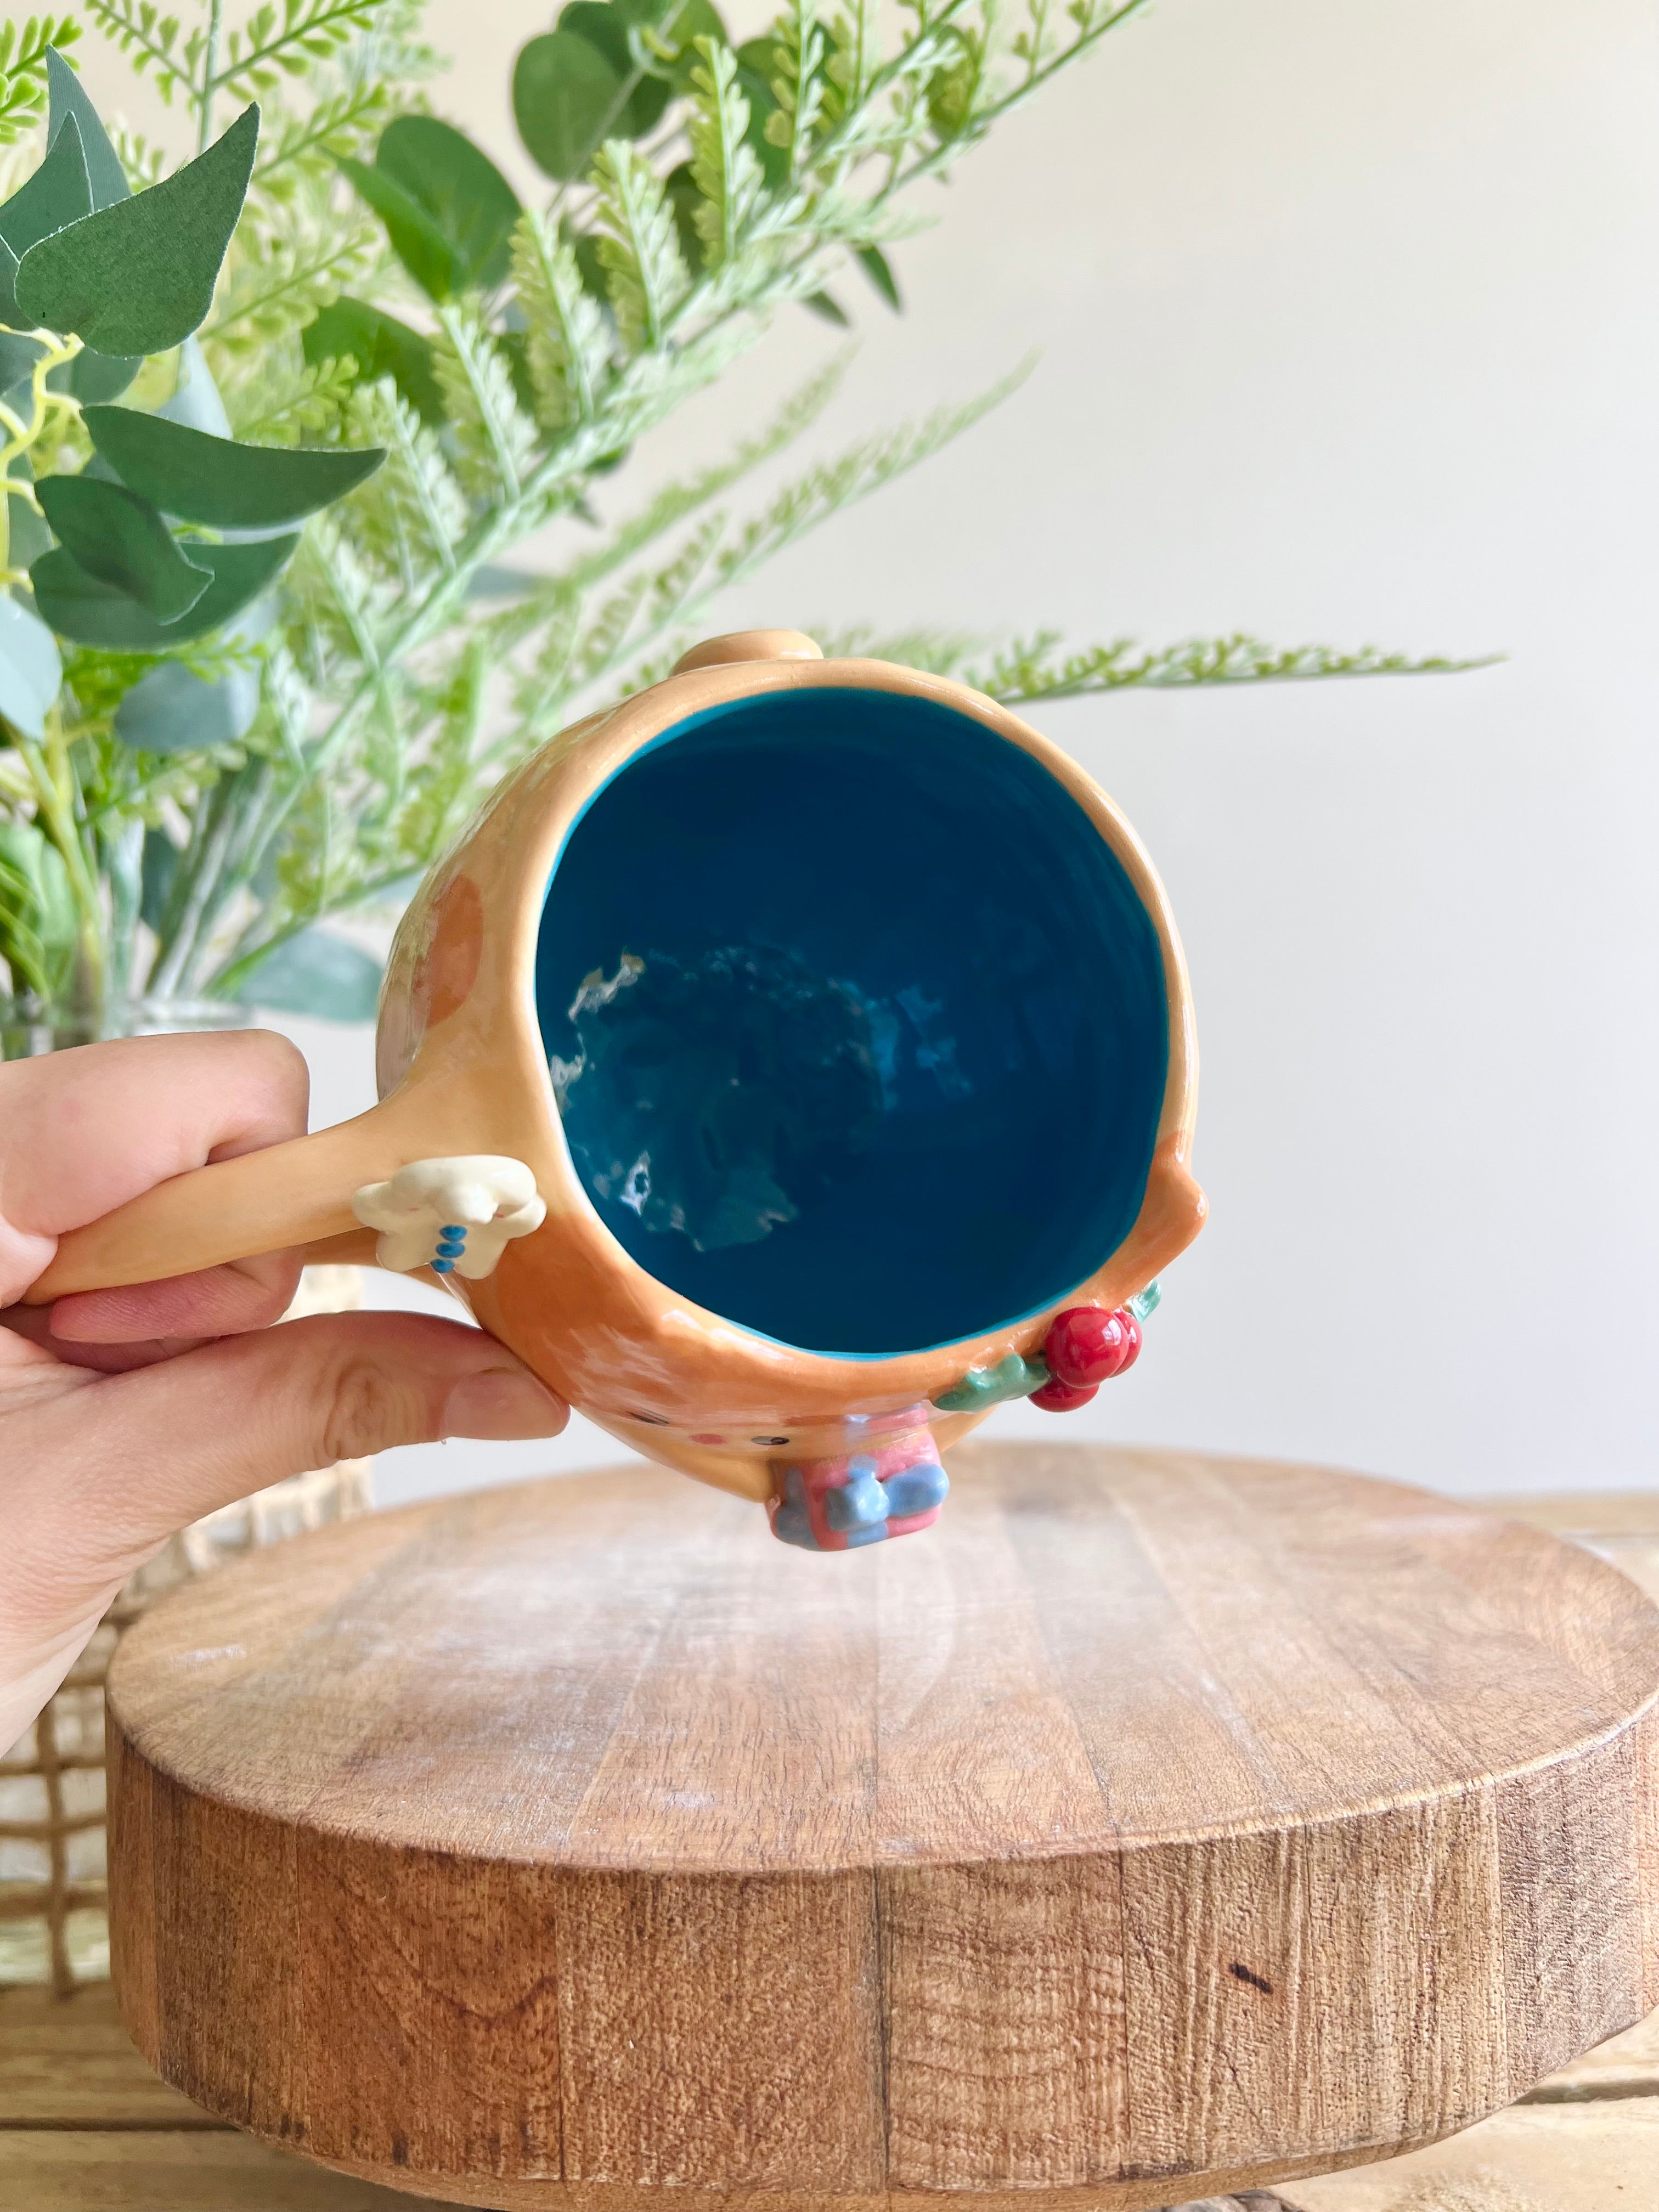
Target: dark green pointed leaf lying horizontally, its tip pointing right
pixel 216 481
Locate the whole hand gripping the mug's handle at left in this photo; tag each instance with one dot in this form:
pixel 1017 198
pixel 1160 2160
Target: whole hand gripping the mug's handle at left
pixel 129 1412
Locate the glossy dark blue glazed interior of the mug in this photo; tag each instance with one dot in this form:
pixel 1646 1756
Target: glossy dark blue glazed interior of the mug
pixel 857 1023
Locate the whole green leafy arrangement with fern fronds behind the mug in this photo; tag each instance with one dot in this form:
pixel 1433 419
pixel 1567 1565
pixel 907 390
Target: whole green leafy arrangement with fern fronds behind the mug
pixel 278 421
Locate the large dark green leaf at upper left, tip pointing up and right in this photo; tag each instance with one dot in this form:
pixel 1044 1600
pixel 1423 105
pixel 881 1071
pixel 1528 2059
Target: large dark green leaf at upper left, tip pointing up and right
pixel 138 278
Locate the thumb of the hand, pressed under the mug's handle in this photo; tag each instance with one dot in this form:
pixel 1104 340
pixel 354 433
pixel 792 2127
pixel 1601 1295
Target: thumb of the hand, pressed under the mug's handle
pixel 103 1474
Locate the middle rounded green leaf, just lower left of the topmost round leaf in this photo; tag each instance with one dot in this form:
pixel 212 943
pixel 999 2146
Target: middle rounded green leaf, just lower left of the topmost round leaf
pixel 459 194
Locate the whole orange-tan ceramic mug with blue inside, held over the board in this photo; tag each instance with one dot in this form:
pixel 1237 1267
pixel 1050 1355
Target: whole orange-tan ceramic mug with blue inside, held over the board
pixel 813 1036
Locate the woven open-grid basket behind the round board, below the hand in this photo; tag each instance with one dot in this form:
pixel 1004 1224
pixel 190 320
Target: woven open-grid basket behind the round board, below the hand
pixel 52 1784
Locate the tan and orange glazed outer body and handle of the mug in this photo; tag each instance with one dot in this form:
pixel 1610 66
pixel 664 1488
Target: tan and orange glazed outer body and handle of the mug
pixel 463 1070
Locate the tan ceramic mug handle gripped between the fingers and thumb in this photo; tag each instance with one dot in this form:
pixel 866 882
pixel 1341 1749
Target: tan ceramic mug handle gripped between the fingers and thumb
pixel 295 1193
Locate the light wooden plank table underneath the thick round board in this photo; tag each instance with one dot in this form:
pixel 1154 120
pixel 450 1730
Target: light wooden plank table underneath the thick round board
pixel 85 2125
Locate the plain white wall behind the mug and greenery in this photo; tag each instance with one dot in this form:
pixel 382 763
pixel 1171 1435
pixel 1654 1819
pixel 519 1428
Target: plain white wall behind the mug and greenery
pixel 1350 331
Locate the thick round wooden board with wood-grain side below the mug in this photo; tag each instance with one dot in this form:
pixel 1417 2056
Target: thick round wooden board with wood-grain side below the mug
pixel 1154 1826
